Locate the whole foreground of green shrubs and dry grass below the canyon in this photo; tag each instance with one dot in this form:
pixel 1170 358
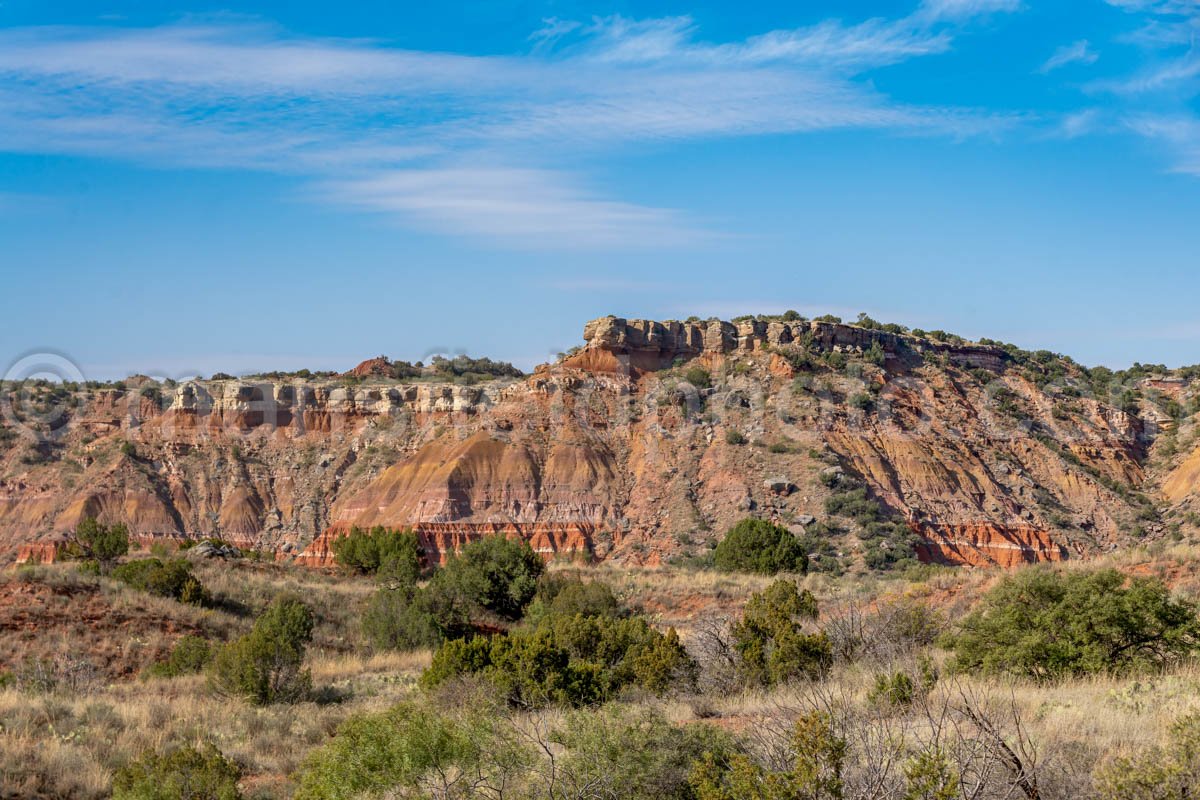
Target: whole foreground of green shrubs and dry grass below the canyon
pixel 593 682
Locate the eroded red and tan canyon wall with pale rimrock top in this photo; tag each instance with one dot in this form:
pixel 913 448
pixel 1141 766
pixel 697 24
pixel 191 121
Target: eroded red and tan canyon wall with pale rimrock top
pixel 643 446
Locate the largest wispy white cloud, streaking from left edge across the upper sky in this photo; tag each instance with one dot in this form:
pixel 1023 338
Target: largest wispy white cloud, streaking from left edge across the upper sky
pixel 465 145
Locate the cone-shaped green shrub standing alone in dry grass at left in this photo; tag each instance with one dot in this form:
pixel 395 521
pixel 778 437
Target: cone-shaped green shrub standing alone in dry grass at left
pixel 266 666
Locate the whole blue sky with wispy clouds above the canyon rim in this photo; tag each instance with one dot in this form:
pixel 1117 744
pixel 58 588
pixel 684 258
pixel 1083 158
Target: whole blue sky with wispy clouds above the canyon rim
pixel 280 185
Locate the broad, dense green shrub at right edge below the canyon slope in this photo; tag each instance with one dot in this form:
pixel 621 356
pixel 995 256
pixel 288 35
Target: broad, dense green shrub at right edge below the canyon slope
pixel 1046 625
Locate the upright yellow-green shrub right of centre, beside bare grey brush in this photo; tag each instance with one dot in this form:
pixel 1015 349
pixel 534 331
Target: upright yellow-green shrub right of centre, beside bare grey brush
pixel 771 640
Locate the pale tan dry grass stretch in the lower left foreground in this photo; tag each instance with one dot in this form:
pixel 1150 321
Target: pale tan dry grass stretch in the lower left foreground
pixel 69 747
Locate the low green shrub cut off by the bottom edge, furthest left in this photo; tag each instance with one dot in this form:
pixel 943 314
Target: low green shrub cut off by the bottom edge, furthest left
pixel 184 774
